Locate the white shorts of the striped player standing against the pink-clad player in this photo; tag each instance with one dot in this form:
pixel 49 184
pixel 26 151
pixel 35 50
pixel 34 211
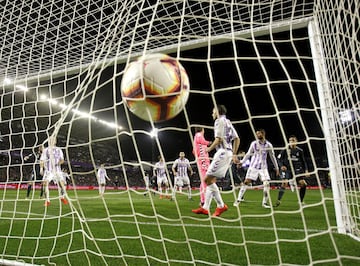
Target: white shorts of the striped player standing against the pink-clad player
pixel 220 163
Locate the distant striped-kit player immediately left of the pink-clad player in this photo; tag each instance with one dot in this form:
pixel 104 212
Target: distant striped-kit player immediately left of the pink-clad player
pixel 180 169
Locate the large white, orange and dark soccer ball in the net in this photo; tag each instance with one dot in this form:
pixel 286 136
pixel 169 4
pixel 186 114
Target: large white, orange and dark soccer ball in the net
pixel 155 87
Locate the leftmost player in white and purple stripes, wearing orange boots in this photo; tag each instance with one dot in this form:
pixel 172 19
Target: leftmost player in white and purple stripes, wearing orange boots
pixel 51 160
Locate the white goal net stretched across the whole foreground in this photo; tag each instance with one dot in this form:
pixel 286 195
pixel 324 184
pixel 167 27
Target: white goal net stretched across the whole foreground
pixel 289 67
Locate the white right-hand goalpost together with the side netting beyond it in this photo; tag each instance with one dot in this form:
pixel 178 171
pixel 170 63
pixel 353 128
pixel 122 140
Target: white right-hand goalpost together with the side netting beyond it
pixel 340 104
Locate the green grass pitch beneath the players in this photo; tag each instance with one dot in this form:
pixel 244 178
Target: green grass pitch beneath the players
pixel 128 228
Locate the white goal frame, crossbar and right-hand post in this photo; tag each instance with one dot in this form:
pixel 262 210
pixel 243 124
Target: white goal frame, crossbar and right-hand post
pixel 343 217
